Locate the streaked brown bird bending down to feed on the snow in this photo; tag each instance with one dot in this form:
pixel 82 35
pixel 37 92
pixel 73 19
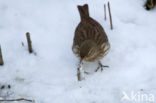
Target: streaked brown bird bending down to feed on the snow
pixel 90 42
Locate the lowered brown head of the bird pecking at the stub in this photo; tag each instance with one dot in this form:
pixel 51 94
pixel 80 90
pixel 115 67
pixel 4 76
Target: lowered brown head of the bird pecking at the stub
pixel 88 50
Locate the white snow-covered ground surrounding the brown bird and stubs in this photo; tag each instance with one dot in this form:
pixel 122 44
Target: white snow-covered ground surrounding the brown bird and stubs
pixel 50 76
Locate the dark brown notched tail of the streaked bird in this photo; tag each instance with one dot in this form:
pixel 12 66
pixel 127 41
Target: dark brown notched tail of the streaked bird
pixel 84 12
